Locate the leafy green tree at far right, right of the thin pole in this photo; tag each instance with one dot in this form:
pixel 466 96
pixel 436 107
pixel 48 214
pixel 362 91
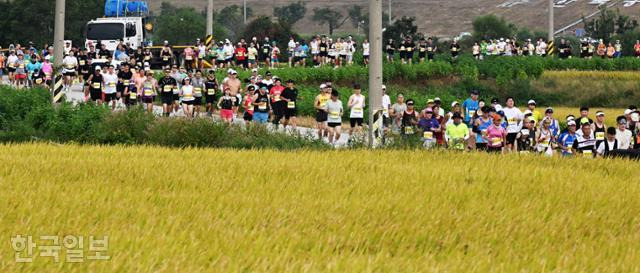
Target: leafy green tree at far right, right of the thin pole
pixel 609 23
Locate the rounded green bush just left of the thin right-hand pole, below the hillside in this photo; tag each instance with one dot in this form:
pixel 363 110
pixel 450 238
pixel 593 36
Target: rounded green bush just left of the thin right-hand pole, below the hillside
pixel 491 27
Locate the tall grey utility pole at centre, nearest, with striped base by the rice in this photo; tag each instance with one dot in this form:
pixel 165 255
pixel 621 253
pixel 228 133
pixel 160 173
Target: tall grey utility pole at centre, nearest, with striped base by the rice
pixel 375 72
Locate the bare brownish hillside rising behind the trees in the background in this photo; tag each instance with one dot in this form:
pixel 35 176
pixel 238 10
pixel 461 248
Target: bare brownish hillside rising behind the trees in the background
pixel 443 18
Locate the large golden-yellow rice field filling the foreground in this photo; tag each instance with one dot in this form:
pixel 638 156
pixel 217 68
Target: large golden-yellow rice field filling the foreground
pixel 189 210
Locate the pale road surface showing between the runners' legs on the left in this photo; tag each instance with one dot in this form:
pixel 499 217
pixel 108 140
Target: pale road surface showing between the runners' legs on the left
pixel 76 95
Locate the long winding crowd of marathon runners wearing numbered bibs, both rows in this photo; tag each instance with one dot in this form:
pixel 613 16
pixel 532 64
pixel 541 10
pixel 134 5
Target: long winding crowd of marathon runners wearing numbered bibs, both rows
pixel 186 89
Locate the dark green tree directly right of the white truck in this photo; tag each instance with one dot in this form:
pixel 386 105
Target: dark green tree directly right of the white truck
pixel 179 25
